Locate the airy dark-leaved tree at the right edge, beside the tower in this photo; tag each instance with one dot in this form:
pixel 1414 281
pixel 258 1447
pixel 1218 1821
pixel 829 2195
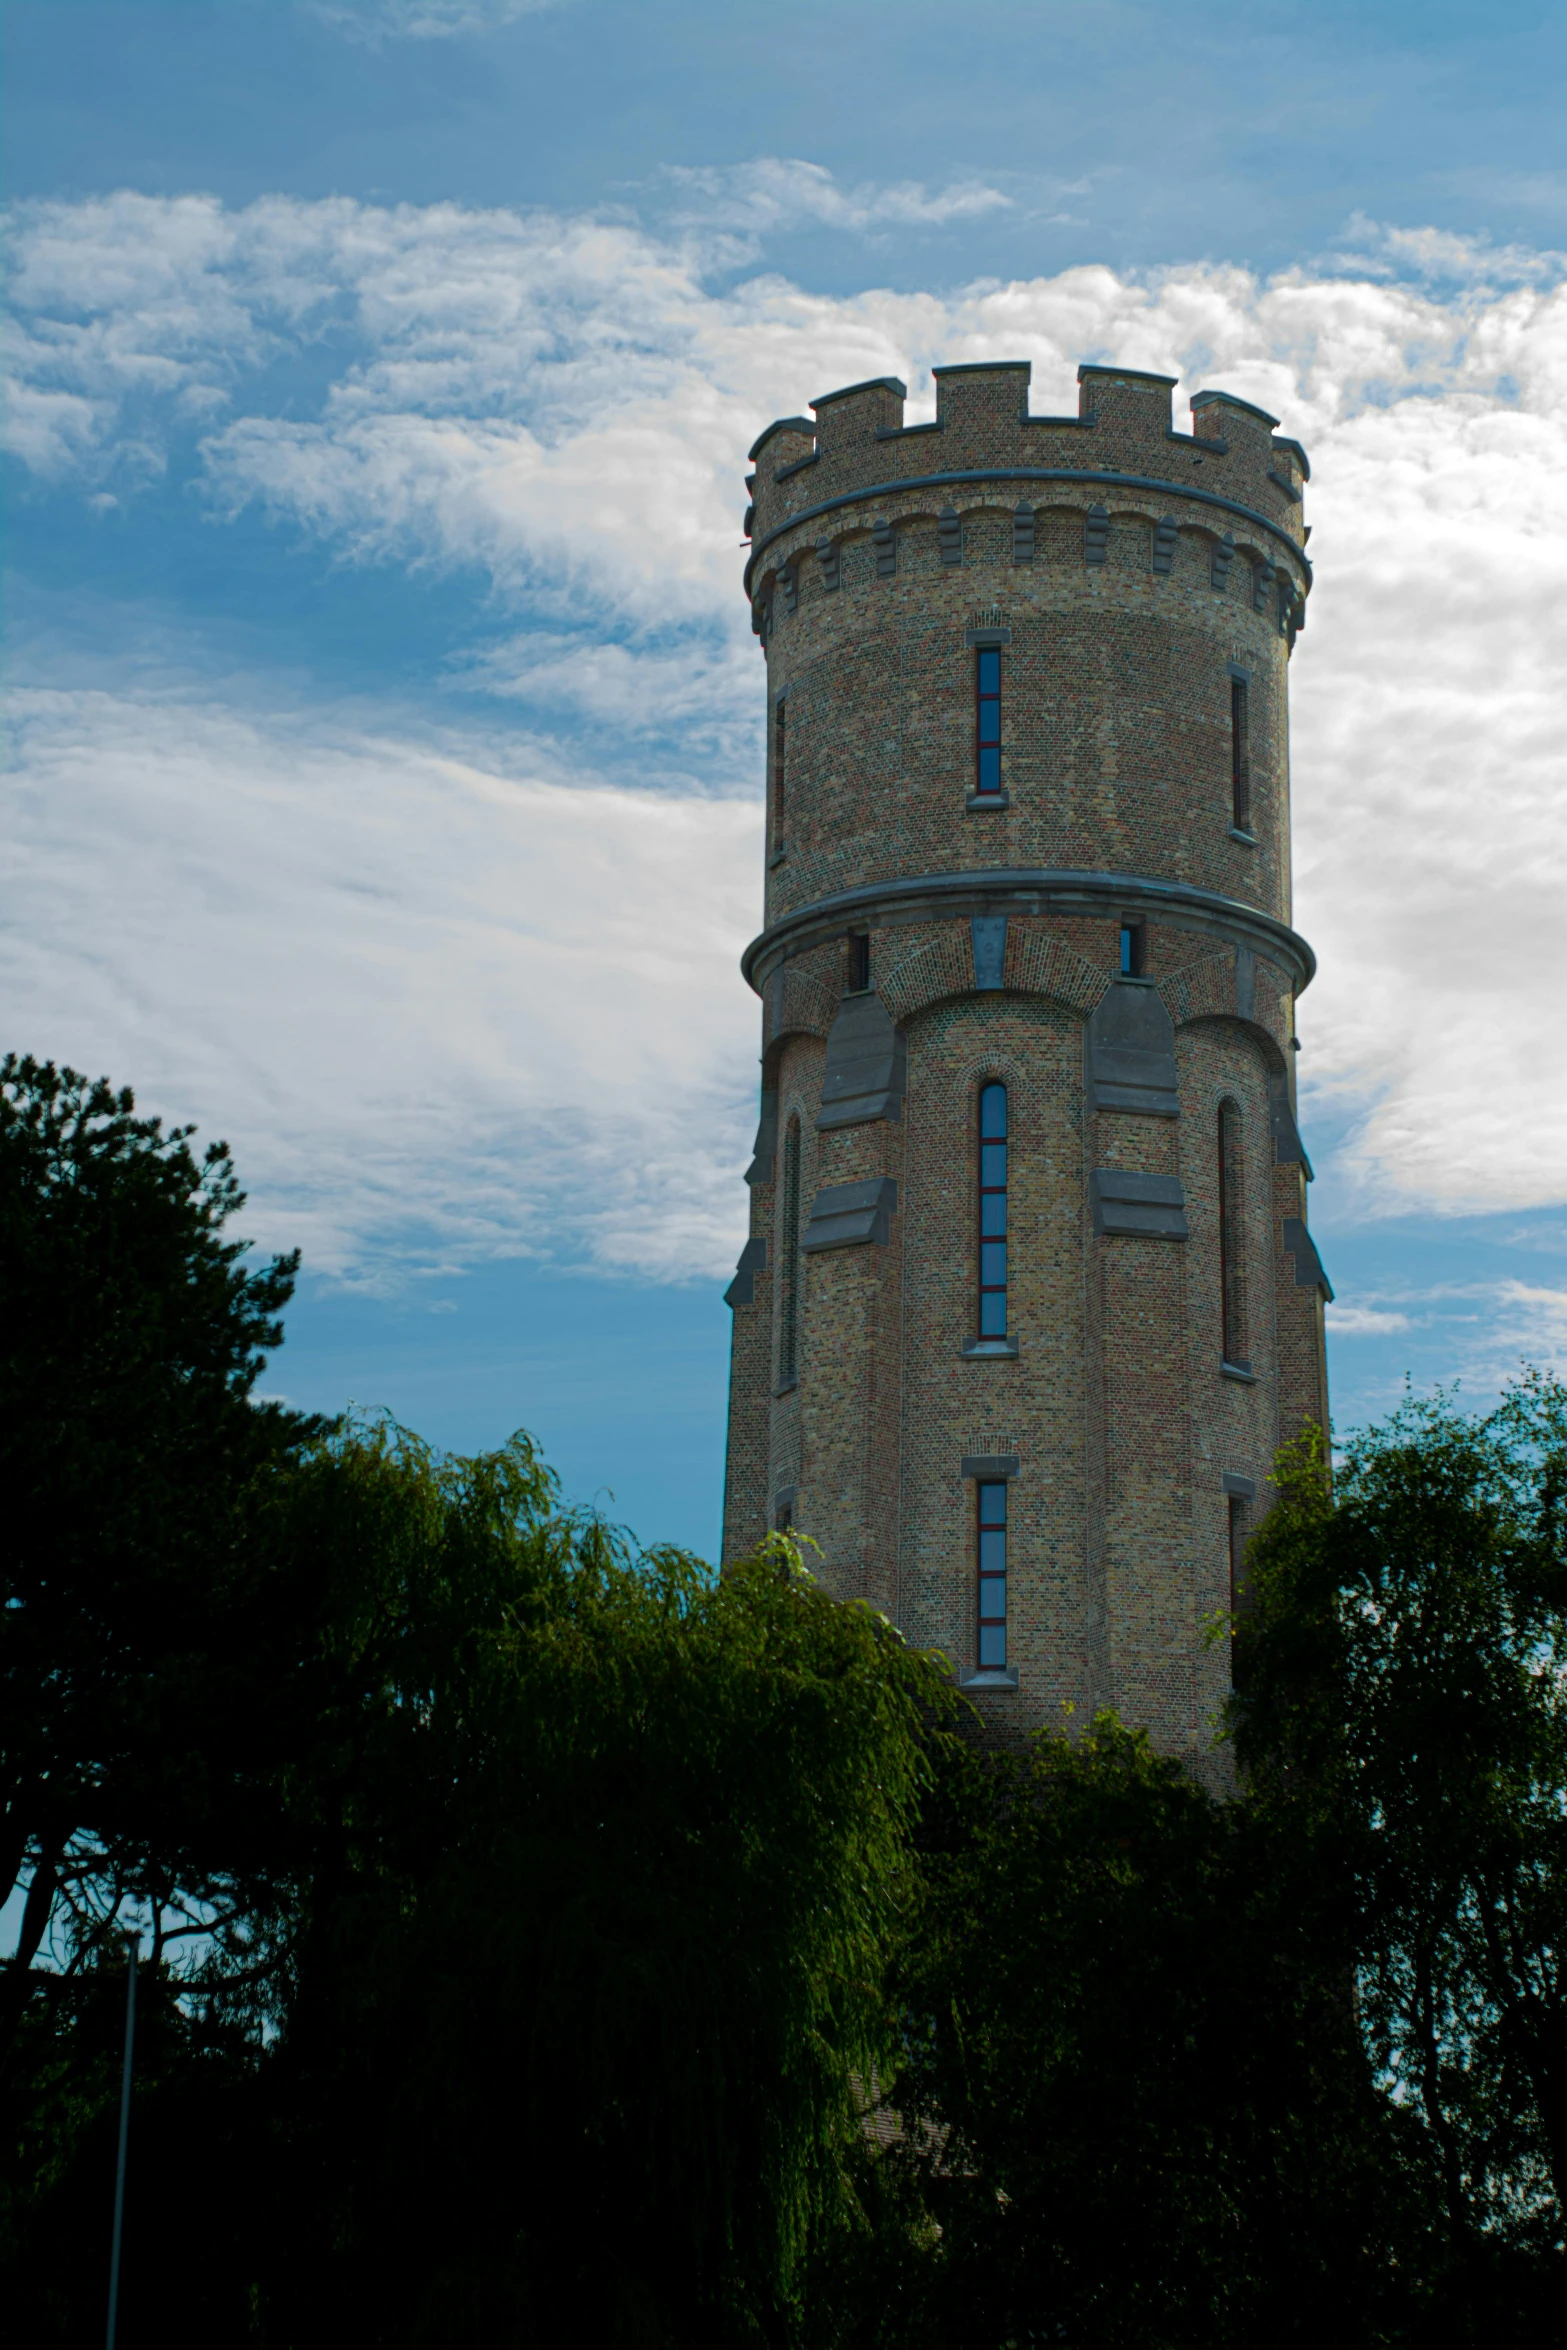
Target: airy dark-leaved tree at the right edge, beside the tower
pixel 1404 1691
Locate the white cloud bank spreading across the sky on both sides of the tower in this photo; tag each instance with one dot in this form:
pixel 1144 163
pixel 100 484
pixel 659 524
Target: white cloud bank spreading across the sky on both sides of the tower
pixel 560 408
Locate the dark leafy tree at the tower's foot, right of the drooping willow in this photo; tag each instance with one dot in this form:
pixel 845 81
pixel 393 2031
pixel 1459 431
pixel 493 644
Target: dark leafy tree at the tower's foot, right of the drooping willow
pixel 1134 2090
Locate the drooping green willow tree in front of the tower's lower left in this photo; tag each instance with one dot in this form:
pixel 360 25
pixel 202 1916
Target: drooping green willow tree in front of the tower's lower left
pixel 593 1940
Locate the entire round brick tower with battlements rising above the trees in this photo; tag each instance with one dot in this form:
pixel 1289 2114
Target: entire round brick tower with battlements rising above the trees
pixel 1030 1298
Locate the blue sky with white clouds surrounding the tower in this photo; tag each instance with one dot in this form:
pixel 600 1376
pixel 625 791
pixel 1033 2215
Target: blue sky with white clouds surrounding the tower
pixel 384 720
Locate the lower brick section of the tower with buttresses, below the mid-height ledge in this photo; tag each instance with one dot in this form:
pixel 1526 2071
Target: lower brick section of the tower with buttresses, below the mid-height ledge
pixel 1030 1301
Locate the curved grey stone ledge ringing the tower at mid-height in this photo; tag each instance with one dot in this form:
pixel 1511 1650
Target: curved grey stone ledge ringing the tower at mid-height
pixel 1030 889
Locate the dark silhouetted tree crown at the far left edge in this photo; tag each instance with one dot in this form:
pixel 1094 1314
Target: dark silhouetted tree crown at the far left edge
pixel 147 1665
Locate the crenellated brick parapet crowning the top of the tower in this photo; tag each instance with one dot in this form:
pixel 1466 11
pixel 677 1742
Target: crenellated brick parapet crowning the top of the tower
pixel 859 445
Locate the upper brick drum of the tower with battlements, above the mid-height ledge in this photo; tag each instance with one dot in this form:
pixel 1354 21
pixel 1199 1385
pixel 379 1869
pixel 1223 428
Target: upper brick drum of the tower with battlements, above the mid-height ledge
pixel 1044 643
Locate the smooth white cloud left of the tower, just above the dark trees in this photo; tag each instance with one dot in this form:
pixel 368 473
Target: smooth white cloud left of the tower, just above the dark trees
pixel 417 995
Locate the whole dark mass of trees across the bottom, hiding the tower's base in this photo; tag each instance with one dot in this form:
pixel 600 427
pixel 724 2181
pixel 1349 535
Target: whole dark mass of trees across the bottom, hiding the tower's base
pixel 560 1912
